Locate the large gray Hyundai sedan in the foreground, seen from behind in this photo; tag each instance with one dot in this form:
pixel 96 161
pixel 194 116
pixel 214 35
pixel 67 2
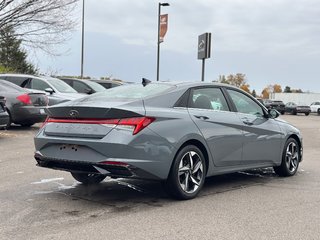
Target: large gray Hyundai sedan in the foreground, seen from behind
pixel 177 133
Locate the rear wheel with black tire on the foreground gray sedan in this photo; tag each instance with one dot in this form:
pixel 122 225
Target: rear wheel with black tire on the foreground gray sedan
pixel 187 174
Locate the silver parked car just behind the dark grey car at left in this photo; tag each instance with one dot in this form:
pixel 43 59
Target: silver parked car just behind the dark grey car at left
pixel 57 90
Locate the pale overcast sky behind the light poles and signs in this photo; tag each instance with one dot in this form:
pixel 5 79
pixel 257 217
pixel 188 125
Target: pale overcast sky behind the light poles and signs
pixel 274 41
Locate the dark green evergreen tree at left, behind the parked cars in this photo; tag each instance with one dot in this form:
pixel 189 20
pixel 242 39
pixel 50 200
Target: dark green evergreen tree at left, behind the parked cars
pixel 12 56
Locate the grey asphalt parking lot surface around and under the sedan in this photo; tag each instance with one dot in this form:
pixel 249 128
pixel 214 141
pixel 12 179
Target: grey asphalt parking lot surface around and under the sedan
pixel 37 203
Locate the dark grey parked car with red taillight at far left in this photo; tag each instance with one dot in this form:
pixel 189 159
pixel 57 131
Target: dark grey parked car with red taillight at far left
pixel 25 107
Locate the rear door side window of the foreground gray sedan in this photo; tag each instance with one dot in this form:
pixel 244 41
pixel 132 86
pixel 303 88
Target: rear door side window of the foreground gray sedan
pixel 208 98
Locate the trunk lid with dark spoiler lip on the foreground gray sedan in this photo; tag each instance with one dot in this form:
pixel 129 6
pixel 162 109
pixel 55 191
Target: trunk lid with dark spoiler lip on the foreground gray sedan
pixel 88 119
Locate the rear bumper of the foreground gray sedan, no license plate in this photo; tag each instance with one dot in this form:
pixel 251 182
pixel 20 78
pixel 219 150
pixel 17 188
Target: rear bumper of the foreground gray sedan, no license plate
pixel 147 154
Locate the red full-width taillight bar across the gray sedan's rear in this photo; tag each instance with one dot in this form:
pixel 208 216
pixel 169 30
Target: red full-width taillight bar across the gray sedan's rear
pixel 138 123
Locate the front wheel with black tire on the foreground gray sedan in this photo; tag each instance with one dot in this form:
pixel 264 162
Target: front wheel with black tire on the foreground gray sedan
pixel 289 165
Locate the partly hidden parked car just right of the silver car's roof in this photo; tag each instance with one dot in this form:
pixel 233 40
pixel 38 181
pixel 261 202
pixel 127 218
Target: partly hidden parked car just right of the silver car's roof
pixel 84 86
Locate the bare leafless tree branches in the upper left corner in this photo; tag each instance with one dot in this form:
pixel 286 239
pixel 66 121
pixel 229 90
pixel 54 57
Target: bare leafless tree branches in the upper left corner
pixel 39 23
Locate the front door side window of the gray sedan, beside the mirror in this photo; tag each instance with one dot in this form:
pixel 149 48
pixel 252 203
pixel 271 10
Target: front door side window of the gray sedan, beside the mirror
pixel 245 104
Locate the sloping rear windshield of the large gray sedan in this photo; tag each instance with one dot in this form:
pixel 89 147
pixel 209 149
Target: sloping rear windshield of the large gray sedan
pixel 132 91
